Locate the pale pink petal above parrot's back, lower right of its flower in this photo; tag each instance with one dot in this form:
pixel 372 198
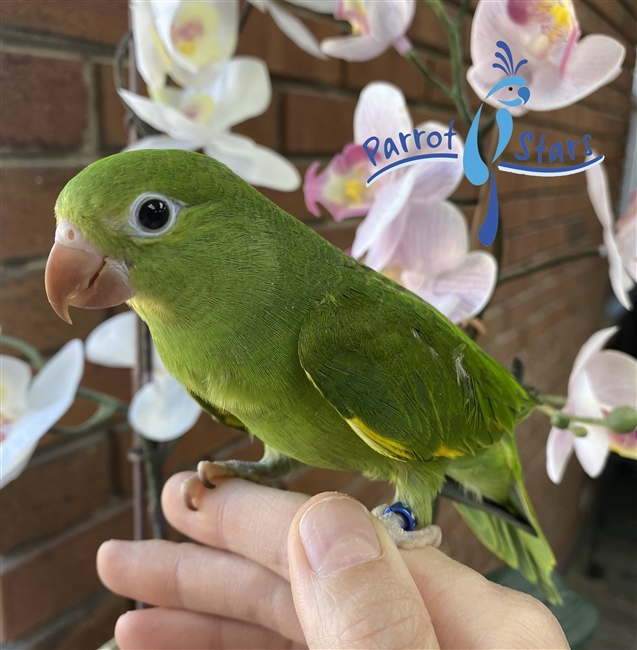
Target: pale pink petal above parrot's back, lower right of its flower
pixel 470 285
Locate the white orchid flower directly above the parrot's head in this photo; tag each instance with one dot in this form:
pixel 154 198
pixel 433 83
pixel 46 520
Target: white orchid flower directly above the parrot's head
pixel 202 120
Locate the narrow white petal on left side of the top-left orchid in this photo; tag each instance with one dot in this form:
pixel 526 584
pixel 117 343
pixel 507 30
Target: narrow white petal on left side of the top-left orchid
pixel 150 56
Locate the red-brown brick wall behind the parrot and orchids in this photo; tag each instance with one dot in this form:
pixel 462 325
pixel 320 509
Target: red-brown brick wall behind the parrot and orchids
pixel 60 112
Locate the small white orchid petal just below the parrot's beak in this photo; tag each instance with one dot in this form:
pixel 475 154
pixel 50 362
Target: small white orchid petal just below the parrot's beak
pixel 113 342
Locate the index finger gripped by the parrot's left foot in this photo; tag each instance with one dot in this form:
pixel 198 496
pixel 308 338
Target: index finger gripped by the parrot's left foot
pixel 245 518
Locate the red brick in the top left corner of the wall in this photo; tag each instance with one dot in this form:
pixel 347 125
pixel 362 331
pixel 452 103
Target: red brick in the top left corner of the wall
pixel 102 21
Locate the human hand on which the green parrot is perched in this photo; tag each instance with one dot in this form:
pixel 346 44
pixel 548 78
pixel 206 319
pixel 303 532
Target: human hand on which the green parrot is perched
pixel 281 570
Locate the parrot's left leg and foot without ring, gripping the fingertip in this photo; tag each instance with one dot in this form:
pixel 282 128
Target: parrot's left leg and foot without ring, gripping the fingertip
pixel 271 467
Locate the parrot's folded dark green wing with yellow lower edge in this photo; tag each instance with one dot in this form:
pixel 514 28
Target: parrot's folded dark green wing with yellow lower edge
pixel 405 379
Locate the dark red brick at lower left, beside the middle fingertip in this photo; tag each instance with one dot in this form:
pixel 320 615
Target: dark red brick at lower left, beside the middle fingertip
pixel 47 581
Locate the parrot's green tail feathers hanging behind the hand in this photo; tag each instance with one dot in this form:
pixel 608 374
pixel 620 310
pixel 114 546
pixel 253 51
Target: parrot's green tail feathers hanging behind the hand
pixel 530 555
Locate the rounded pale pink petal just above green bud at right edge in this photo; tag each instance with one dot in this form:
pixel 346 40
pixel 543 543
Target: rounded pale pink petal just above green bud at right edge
pixel 613 378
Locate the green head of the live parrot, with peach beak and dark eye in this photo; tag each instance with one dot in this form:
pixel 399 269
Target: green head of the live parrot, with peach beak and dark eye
pixel 130 223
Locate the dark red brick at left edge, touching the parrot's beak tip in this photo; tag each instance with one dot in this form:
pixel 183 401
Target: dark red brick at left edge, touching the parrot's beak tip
pixel 27 314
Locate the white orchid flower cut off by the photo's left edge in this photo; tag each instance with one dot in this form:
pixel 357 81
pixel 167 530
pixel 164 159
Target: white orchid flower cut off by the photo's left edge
pixel 29 408
